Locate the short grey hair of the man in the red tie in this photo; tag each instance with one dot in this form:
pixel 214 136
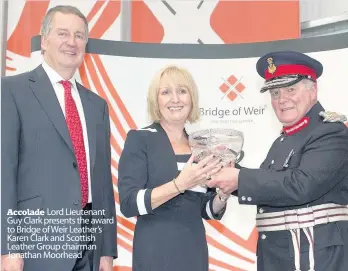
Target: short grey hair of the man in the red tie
pixel 66 9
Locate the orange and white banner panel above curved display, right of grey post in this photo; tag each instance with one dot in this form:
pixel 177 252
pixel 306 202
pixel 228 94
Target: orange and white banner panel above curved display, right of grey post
pixel 214 21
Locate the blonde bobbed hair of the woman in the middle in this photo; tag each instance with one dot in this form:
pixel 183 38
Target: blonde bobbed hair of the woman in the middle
pixel 179 76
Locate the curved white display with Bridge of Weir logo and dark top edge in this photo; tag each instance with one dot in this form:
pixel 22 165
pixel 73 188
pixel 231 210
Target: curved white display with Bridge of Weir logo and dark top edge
pixel 228 86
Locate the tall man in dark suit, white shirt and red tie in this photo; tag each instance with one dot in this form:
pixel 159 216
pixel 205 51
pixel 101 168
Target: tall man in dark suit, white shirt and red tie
pixel 55 160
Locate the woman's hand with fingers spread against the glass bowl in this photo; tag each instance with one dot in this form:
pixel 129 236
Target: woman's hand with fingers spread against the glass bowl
pixel 195 174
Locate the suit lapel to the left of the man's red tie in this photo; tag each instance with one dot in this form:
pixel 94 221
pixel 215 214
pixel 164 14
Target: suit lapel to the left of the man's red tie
pixel 44 92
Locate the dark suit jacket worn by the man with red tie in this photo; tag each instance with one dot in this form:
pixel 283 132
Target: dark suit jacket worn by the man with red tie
pixel 38 167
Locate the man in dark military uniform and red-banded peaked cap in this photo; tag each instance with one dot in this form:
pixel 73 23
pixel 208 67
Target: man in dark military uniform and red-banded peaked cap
pixel 301 188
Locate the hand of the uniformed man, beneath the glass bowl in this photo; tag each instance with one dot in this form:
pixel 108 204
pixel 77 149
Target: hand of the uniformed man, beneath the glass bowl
pixel 226 179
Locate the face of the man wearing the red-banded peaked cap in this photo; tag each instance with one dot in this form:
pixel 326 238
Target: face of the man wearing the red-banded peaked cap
pixel 292 103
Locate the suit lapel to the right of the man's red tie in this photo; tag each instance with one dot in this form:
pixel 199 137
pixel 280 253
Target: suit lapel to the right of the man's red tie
pixel 88 109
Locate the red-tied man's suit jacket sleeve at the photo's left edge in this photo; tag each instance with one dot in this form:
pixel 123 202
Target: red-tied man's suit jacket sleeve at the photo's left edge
pixel 10 134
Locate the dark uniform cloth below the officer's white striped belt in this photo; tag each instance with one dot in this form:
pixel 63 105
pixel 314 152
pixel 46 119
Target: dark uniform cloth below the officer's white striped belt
pixel 275 252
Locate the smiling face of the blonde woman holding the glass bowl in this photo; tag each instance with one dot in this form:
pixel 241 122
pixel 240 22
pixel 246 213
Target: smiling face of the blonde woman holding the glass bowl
pixel 174 100
